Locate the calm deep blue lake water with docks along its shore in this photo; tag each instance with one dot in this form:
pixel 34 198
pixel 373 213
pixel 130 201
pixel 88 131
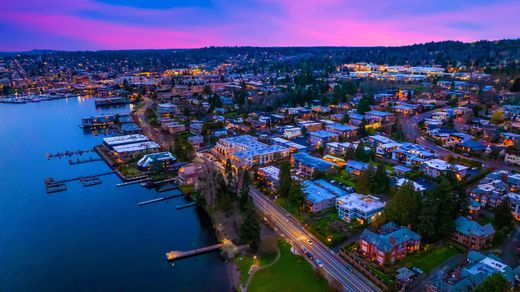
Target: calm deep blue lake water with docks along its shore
pixel 87 238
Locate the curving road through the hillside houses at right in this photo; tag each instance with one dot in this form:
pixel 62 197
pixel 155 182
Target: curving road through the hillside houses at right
pixel 410 127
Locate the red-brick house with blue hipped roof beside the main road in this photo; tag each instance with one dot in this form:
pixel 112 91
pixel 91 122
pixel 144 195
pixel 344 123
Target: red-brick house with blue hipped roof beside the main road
pixel 390 244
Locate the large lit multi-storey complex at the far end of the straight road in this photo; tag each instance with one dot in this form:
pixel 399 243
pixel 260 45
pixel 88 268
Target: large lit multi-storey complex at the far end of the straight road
pixel 246 151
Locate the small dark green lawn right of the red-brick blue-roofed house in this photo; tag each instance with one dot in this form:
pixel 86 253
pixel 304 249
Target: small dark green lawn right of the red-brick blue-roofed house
pixel 431 259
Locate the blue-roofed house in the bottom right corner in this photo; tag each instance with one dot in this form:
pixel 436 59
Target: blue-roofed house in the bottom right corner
pixel 477 269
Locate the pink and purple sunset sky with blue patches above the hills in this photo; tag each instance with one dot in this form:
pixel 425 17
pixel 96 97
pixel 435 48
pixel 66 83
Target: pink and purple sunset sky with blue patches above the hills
pixel 154 24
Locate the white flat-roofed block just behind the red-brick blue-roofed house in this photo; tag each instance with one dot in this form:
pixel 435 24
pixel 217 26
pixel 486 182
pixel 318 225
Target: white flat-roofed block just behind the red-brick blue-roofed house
pixel 364 209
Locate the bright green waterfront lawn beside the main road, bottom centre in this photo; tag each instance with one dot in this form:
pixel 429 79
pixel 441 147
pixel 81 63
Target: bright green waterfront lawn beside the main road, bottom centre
pixel 290 273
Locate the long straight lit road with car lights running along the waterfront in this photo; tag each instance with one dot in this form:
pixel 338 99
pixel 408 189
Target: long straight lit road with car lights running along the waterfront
pixel 333 265
